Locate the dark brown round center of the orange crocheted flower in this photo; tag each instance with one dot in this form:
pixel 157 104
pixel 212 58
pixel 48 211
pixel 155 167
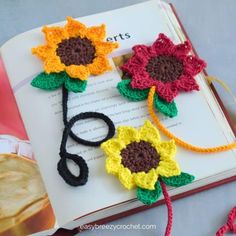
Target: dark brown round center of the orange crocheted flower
pixel 76 51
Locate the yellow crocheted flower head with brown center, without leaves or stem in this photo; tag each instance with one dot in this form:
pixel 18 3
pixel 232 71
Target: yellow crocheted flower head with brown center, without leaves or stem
pixel 139 157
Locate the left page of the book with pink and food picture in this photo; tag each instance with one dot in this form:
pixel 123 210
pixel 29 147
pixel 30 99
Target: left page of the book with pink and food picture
pixel 24 209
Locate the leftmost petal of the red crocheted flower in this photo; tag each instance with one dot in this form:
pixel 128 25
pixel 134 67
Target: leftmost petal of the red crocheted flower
pixel 133 65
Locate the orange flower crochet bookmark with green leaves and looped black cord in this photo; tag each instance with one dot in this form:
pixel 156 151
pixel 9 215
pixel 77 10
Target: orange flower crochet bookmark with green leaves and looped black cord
pixel 70 55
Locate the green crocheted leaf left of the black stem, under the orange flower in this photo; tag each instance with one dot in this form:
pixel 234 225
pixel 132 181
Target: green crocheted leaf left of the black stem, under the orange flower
pixel 50 81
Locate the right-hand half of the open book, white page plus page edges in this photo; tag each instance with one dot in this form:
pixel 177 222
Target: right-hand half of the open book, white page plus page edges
pixel 201 120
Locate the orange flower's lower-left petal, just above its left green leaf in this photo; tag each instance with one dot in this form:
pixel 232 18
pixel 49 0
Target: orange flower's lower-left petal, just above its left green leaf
pixel 53 64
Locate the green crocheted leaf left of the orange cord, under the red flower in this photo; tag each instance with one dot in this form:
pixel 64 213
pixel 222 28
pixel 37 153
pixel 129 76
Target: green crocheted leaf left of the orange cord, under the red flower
pixel 127 91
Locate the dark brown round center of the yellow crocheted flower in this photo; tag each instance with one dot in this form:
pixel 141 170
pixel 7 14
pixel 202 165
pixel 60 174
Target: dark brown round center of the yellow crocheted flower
pixel 140 156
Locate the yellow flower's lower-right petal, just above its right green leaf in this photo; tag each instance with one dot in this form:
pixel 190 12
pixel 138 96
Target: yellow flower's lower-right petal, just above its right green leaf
pixel 168 168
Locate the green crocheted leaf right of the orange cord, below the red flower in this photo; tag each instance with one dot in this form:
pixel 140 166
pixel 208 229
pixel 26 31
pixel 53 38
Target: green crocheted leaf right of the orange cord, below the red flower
pixel 168 109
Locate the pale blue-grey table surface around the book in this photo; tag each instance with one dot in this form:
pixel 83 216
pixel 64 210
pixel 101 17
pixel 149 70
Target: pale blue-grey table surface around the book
pixel 210 25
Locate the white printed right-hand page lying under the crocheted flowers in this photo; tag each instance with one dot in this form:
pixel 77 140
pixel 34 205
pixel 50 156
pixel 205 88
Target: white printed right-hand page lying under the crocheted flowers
pixel 41 112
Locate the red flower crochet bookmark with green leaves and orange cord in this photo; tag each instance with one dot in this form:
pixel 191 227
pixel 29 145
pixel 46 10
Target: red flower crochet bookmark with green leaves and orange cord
pixel 157 73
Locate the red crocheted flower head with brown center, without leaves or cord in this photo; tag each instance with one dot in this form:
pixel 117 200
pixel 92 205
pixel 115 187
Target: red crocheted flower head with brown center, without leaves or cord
pixel 164 65
